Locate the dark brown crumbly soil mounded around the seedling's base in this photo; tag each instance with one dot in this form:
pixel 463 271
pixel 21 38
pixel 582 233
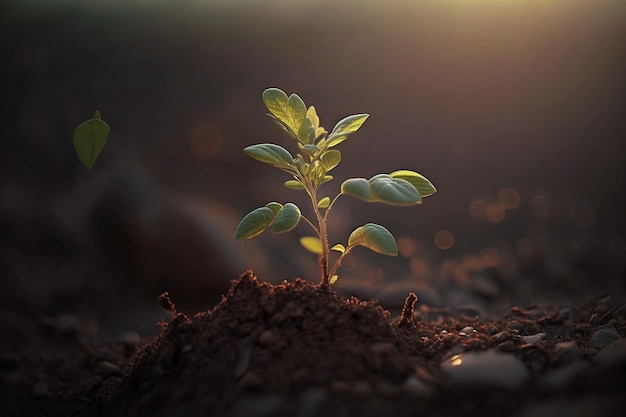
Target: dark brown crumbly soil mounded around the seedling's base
pixel 293 349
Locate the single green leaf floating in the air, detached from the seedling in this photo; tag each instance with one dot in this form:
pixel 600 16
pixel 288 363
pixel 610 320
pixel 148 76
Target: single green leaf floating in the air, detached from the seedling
pixel 90 138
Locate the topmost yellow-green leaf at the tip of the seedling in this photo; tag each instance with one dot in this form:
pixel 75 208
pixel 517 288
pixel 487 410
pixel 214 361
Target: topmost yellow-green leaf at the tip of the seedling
pixel 291 111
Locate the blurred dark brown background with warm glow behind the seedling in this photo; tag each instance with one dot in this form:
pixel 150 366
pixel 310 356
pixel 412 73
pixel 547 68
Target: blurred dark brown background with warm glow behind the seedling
pixel 514 109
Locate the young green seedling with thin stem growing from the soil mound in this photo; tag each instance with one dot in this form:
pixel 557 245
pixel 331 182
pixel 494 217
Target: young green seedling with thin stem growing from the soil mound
pixel 310 169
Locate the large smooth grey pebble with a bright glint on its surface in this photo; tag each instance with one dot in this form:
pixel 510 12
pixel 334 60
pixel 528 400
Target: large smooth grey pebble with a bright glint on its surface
pixel 486 368
